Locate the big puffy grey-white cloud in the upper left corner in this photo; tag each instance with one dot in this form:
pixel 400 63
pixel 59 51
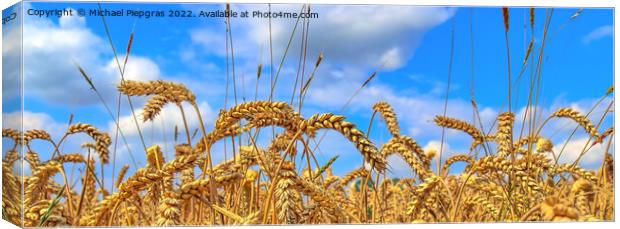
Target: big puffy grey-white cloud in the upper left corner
pixel 50 53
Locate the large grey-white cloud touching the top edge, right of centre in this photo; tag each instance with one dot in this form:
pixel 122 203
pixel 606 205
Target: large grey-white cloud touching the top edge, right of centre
pixel 382 30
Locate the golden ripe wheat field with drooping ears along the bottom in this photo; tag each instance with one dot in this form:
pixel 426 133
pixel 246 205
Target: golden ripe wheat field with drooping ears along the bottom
pixel 519 179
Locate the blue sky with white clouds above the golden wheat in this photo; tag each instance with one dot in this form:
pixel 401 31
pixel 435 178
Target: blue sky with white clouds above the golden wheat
pixel 408 46
